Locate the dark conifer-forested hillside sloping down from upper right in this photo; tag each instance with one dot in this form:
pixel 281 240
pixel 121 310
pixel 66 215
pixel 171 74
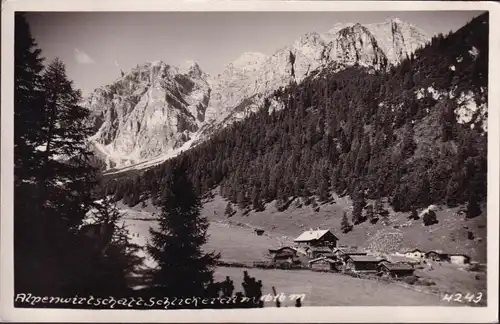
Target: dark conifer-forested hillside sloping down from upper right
pixel 416 134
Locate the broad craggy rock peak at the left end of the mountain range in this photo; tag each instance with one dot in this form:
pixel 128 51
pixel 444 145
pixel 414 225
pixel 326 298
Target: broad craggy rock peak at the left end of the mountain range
pixel 150 110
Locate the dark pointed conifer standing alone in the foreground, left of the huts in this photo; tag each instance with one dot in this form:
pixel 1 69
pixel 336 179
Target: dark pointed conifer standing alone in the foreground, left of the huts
pixel 183 269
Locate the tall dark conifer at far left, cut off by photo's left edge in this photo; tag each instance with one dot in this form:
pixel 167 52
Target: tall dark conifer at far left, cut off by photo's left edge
pixel 27 131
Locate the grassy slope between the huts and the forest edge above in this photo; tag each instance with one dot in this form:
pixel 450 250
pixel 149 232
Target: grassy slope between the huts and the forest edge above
pixel 449 235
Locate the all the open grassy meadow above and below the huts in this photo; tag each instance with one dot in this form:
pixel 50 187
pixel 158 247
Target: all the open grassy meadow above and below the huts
pixel 236 240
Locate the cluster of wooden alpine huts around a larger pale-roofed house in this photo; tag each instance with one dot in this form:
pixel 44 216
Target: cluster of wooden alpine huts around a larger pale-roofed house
pixel 318 249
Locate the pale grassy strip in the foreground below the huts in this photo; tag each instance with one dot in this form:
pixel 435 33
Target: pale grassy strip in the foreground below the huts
pixel 329 289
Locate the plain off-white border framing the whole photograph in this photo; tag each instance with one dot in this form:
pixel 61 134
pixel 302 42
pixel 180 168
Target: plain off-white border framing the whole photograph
pixel 350 314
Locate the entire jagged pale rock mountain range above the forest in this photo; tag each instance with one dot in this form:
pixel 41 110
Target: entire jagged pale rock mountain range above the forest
pixel 156 110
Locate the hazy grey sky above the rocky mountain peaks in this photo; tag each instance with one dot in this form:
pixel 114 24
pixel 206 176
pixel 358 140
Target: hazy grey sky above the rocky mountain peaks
pixel 95 45
